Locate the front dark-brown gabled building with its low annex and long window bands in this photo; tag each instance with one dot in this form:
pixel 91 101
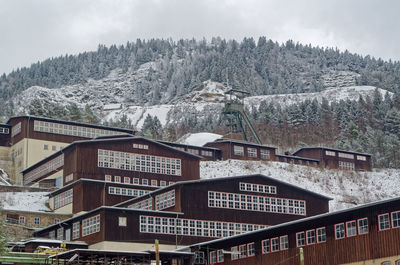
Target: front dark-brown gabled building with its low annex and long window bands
pixel 189 212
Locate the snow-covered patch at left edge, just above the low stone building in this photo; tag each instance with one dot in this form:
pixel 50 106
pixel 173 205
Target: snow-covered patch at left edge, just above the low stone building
pixel 24 201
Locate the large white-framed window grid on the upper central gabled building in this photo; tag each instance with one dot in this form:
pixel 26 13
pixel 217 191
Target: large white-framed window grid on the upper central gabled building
pixel 139 162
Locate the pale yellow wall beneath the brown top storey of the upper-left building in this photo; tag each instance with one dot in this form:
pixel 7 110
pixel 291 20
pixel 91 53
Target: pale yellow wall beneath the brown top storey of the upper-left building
pixel 32 152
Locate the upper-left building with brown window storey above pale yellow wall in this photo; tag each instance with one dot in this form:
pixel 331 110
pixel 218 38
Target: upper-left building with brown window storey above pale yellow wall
pixel 30 139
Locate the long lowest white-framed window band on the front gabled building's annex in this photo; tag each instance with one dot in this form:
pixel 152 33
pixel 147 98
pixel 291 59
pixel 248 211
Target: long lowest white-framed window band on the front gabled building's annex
pixel 192 227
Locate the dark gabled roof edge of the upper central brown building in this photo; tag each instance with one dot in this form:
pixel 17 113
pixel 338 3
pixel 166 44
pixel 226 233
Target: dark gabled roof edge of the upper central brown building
pixel 96 140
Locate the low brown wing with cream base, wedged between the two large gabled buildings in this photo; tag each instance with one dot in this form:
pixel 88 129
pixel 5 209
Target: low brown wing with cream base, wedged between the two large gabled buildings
pixel 84 195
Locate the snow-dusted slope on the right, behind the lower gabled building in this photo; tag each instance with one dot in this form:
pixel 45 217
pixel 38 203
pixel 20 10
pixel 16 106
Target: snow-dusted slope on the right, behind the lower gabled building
pixel 347 188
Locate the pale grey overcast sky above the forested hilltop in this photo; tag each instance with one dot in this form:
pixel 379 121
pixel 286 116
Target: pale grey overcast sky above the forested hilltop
pixel 36 30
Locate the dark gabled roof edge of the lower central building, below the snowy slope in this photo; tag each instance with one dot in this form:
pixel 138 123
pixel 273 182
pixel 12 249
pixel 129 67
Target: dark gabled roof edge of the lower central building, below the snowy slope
pixel 182 183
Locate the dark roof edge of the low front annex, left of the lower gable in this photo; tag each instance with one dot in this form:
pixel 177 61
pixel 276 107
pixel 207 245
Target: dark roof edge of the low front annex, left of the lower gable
pixel 106 208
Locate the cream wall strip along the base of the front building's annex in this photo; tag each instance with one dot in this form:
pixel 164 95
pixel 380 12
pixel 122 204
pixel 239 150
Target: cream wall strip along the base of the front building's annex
pixel 125 246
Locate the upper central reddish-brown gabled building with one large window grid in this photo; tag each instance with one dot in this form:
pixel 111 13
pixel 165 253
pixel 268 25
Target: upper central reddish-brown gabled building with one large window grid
pixel 117 159
